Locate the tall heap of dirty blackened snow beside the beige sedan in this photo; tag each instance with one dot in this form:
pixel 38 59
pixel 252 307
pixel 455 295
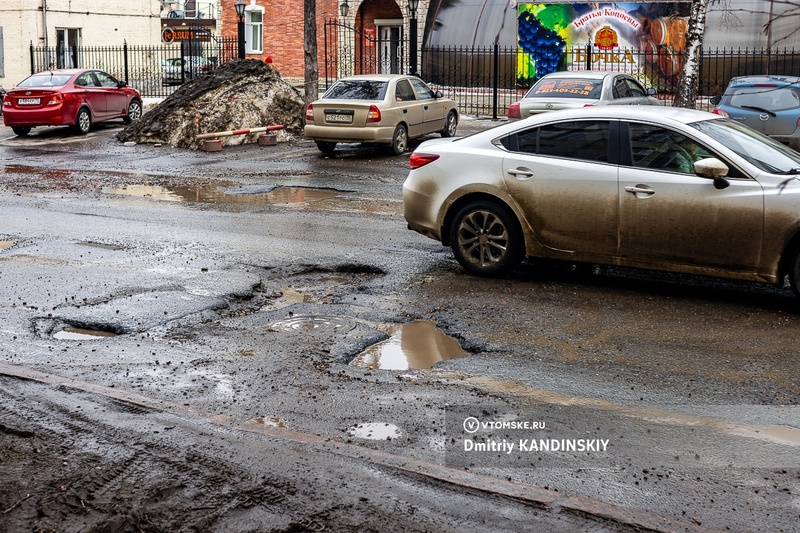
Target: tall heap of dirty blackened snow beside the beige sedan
pixel 241 94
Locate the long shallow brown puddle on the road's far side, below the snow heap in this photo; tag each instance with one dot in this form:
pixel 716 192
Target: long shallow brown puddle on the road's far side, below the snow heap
pixel 214 195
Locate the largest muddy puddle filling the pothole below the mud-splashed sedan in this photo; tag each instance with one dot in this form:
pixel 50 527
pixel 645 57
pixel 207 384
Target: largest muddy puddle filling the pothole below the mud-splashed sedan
pixel 416 345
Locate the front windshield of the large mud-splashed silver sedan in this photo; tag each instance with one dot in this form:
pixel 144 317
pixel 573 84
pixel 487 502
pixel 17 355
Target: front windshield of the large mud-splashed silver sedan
pixel 763 152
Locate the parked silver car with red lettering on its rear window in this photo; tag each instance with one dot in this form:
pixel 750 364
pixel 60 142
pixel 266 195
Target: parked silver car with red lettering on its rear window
pixel 574 89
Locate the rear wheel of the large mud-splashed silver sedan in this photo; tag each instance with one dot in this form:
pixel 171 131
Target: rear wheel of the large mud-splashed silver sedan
pixel 486 239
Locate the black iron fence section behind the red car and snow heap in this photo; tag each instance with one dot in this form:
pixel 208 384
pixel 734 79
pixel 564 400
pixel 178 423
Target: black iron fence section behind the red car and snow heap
pixel 154 70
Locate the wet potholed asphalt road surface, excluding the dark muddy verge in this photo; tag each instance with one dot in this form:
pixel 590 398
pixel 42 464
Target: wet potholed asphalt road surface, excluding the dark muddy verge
pixel 243 283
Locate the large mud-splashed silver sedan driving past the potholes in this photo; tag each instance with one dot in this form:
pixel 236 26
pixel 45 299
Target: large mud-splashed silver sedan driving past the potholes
pixel 660 188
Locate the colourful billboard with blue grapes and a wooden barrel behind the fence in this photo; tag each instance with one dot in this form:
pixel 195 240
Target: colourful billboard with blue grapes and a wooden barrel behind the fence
pixel 639 38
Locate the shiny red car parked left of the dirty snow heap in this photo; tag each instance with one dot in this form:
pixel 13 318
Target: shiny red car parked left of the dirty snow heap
pixel 70 97
